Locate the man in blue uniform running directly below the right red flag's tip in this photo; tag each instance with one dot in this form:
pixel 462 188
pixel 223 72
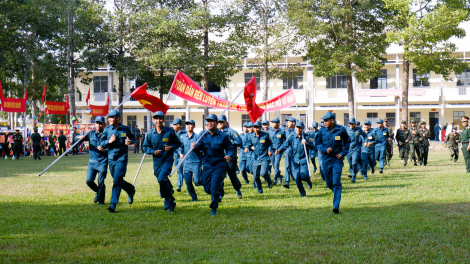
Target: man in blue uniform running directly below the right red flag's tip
pixel 261 145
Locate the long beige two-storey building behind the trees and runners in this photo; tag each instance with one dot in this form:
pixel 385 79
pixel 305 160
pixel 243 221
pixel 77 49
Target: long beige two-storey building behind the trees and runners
pixel 431 99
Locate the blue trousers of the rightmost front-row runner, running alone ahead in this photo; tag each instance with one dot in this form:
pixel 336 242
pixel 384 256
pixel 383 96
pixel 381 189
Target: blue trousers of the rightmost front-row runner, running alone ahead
pixel 332 168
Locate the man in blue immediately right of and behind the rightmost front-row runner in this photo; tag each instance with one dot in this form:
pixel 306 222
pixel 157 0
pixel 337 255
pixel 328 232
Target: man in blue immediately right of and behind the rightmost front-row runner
pixel 355 134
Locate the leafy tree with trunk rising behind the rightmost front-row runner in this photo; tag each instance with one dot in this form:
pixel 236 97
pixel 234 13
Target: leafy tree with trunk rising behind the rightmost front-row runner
pixel 345 37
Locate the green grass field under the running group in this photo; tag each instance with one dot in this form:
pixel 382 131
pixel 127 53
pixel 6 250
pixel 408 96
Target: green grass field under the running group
pixel 408 214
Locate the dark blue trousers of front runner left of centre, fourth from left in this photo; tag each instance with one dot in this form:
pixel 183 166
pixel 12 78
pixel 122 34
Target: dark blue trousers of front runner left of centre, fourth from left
pixel 213 180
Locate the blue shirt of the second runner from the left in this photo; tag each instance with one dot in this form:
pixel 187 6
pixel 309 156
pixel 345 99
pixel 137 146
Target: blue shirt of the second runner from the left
pixel 117 151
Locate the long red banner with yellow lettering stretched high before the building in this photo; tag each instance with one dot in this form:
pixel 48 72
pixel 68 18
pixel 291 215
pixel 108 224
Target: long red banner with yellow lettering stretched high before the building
pixel 187 89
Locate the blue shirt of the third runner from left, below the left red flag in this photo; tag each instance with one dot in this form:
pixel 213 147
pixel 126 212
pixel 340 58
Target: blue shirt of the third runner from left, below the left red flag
pixel 155 141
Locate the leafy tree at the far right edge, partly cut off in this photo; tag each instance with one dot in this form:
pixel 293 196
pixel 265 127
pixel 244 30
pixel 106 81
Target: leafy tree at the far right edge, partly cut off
pixel 423 29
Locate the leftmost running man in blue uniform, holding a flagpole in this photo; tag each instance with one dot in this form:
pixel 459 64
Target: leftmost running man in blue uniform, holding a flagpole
pixel 98 162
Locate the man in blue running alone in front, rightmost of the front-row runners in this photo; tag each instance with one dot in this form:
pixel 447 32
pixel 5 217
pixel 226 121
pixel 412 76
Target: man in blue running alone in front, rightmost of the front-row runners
pixel 333 142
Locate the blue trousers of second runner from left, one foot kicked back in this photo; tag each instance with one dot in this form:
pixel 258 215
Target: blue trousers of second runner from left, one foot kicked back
pixel 118 172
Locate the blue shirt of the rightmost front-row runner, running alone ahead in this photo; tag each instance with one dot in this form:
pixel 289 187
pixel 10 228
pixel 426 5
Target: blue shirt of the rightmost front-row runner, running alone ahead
pixel 336 139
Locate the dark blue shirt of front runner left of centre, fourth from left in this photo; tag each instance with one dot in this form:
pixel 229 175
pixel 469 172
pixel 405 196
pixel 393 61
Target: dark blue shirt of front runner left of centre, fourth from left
pixel 214 148
